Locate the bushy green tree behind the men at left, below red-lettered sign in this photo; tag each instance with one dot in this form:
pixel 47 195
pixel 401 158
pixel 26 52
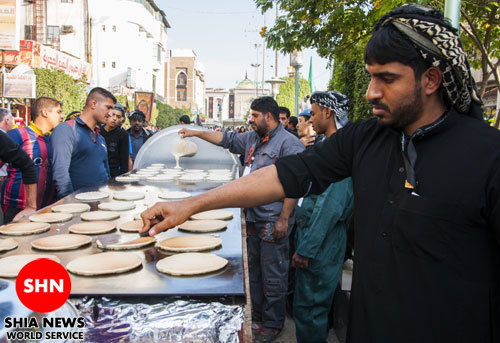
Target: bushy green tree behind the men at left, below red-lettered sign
pixel 57 84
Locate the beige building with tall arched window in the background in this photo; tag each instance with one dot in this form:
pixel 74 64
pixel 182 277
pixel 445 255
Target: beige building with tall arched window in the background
pixel 185 80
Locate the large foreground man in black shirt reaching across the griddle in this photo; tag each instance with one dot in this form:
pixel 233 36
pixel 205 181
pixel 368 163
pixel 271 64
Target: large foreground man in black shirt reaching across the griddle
pixel 426 178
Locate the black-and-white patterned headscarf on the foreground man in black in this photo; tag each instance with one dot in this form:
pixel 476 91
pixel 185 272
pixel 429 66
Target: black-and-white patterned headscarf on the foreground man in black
pixel 439 46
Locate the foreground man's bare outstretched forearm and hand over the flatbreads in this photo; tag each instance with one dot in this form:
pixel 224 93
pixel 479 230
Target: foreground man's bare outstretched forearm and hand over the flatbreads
pixel 258 188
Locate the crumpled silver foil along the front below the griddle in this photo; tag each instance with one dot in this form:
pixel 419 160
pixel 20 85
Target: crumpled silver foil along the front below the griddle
pixel 159 320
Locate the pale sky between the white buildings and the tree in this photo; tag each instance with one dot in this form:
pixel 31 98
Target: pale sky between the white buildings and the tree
pixel 223 33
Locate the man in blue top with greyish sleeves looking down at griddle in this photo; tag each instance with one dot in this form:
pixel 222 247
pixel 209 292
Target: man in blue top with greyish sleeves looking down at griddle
pixel 80 155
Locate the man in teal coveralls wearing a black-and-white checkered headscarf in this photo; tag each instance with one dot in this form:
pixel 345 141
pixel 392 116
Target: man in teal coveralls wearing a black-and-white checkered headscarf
pixel 321 232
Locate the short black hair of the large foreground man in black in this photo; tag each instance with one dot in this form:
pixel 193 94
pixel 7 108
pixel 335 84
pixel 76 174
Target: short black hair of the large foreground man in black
pixel 389 45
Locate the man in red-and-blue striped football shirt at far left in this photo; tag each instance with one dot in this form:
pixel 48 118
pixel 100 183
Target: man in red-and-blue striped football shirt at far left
pixel 46 114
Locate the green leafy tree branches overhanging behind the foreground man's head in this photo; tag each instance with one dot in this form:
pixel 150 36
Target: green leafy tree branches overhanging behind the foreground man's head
pixel 339 31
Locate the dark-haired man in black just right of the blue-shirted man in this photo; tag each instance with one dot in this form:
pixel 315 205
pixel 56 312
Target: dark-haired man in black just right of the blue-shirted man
pixel 117 141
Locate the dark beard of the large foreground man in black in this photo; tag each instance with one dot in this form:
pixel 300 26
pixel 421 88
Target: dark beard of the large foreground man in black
pixel 405 114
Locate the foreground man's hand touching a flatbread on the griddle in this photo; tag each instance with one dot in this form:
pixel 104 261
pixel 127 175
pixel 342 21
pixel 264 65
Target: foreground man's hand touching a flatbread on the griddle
pixel 163 216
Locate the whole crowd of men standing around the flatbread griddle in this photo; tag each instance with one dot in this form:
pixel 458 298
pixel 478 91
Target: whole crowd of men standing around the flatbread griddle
pixel 418 185
